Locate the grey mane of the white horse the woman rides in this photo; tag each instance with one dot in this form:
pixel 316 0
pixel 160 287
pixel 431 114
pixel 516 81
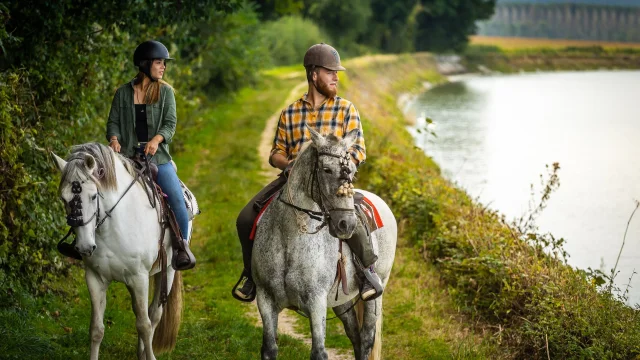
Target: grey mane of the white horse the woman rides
pixel 104 158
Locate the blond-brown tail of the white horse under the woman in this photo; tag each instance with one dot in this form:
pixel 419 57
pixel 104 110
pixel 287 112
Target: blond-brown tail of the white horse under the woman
pixel 166 334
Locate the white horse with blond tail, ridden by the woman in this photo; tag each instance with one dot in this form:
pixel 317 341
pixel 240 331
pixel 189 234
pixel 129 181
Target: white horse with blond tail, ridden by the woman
pixel 118 235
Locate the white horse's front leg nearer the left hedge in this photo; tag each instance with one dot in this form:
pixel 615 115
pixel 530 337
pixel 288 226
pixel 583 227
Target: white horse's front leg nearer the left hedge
pixel 98 294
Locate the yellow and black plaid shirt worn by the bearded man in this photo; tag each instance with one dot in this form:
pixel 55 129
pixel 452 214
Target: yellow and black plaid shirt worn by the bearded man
pixel 336 116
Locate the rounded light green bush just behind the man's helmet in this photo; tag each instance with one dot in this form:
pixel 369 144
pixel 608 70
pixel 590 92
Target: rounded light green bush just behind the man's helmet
pixel 288 38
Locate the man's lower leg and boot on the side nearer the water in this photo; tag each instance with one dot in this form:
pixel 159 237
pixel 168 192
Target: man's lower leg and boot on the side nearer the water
pixel 362 248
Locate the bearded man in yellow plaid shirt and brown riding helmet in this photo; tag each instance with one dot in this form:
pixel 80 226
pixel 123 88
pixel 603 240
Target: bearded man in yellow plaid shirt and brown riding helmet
pixel 322 110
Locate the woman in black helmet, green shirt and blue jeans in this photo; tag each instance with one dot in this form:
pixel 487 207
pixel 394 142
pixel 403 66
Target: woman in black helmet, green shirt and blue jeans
pixel 144 111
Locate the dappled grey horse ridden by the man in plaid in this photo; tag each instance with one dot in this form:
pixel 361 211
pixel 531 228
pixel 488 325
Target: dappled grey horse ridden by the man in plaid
pixel 295 254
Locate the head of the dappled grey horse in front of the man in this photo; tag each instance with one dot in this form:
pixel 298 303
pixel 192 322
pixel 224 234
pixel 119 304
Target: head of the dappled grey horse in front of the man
pixel 333 172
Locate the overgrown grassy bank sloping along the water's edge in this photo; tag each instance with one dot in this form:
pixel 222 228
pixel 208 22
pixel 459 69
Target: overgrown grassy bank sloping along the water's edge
pixel 532 304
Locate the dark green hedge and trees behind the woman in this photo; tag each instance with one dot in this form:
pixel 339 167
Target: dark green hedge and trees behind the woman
pixel 57 80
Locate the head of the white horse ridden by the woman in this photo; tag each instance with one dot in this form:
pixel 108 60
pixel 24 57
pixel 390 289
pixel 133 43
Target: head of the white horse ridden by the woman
pixel 87 171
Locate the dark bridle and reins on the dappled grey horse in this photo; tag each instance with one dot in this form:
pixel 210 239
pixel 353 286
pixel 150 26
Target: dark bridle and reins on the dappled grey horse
pixel 325 214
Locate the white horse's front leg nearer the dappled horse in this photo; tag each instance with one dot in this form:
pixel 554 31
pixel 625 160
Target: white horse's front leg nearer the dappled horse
pixel 139 289
